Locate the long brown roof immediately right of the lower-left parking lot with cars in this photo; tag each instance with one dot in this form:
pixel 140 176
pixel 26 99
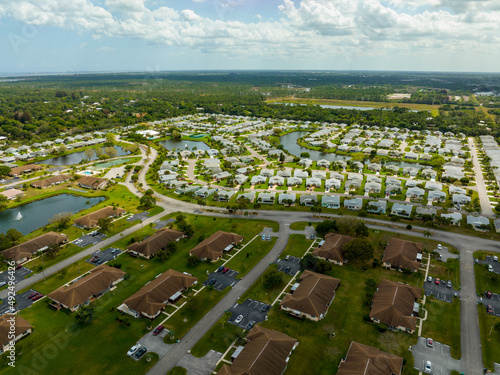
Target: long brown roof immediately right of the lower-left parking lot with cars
pixel 99 279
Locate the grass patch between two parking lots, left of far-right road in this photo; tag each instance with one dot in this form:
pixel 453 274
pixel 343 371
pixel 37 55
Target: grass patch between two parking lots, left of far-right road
pixel 443 323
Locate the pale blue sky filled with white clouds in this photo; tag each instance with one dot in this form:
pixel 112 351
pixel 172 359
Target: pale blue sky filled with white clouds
pixel 159 35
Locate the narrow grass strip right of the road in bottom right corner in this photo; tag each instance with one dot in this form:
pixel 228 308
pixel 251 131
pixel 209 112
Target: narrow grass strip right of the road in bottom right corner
pixel 490 338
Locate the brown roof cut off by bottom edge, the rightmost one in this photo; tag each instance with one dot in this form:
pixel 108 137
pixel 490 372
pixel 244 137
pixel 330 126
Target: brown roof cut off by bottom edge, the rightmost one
pixel 367 360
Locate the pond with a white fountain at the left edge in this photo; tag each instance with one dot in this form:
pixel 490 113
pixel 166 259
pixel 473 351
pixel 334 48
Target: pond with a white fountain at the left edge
pixel 36 214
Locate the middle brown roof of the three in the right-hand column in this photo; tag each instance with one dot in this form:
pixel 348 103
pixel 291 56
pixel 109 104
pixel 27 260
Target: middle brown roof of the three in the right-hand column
pixel 393 304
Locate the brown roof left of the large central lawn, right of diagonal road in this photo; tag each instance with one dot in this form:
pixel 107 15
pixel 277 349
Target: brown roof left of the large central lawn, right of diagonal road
pixel 313 295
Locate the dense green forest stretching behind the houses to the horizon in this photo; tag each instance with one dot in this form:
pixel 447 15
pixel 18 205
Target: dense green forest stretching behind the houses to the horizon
pixel 43 107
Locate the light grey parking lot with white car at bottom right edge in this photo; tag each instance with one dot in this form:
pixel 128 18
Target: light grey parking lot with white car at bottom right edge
pixel 439 355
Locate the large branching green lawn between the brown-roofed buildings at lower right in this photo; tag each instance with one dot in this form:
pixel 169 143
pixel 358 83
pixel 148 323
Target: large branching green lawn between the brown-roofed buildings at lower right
pixel 318 352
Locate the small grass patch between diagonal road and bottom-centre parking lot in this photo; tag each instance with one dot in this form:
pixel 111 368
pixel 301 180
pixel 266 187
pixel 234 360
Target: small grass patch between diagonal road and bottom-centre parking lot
pixel 220 336
